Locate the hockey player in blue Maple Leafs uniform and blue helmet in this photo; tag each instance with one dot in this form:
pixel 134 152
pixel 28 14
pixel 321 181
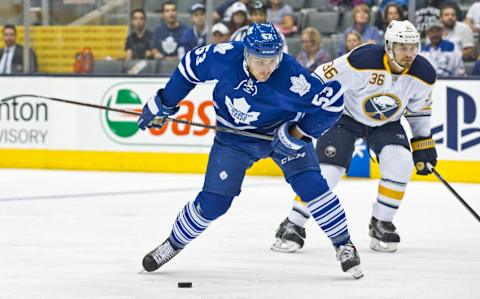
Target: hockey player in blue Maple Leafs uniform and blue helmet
pixel 259 90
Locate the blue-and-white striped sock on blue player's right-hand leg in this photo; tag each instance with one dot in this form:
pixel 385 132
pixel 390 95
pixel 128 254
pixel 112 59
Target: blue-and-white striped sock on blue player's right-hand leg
pixel 330 216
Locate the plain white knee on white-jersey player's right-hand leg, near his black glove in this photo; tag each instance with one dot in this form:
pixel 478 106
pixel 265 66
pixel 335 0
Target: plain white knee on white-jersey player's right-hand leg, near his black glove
pixel 396 163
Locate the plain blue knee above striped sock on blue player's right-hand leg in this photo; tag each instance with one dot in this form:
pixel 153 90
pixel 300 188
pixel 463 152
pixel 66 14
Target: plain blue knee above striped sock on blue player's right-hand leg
pixel 309 185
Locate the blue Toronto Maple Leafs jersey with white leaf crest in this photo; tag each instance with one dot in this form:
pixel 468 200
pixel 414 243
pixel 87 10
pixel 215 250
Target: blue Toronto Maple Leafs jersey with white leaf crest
pixel 243 103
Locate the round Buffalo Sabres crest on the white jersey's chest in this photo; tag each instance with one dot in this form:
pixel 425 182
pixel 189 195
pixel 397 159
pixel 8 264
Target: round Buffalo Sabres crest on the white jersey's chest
pixel 381 107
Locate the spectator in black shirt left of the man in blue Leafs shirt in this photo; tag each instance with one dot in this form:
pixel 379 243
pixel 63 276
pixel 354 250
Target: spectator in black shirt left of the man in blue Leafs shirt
pixel 139 43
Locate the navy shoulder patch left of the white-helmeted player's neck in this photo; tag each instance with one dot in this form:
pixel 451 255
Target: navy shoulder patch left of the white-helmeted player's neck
pixel 367 56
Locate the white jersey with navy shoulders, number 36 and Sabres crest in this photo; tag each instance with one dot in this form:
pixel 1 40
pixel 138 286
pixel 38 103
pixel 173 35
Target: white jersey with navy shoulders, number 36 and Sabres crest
pixel 375 96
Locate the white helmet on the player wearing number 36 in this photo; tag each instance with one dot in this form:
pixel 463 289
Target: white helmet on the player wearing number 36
pixel 402 32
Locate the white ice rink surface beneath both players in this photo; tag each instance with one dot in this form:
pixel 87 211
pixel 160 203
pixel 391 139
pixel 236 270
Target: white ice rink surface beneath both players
pixel 83 234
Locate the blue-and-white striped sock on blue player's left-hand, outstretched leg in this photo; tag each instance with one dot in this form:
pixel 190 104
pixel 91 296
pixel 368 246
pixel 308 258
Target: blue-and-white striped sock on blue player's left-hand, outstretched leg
pixel 188 225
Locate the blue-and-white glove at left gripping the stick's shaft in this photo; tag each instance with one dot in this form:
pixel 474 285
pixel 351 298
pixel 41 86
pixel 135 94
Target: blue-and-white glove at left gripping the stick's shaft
pixel 154 113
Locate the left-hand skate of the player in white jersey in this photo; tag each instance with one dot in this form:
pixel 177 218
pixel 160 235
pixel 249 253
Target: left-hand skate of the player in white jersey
pixel 289 237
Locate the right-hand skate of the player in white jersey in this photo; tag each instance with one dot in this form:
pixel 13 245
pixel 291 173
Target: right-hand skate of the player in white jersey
pixel 384 236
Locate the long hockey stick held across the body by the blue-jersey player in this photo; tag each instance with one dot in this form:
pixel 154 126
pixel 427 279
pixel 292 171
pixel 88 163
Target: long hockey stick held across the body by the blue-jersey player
pixel 221 129
